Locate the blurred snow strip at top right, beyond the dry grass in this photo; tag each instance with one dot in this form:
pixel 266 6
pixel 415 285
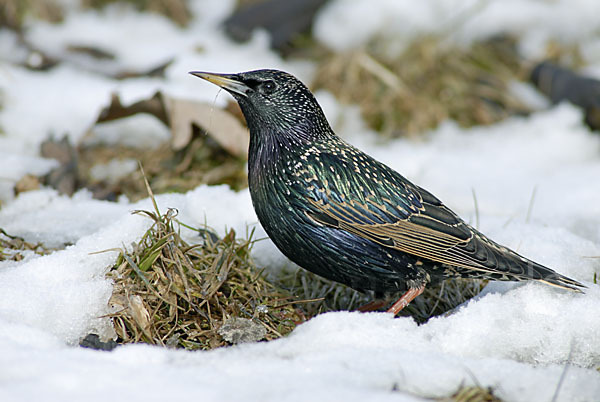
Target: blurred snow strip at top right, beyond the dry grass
pixel 396 23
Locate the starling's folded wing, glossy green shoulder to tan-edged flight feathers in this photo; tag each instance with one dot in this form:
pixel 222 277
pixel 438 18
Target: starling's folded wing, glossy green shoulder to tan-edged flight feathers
pixel 391 211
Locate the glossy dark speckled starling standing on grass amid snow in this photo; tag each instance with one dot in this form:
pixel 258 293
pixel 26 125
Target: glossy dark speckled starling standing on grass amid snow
pixel 339 213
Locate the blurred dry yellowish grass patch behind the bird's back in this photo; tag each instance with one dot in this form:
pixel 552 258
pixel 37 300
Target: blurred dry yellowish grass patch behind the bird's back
pixel 426 84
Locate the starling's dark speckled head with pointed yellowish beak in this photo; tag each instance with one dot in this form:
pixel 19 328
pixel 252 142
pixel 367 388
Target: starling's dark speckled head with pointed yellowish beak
pixel 274 103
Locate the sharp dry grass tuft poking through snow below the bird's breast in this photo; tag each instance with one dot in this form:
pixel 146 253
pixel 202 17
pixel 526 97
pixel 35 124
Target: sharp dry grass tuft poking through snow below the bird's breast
pixel 196 296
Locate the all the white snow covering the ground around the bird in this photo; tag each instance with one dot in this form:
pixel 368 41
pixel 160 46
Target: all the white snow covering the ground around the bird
pixel 535 181
